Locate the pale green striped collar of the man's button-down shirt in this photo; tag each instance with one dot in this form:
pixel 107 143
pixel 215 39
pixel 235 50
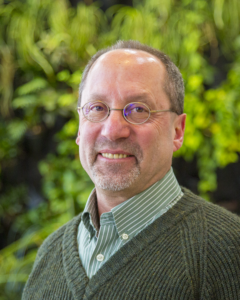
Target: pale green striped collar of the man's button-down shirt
pixel 134 214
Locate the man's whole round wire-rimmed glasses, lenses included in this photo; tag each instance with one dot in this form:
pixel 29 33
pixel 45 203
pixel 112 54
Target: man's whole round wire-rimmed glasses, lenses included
pixel 134 113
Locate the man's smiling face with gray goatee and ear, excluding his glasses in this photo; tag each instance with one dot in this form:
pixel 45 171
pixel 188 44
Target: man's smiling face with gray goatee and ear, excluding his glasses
pixel 117 155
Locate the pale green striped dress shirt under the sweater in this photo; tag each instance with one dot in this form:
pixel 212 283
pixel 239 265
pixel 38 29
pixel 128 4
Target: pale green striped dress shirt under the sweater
pixel 97 242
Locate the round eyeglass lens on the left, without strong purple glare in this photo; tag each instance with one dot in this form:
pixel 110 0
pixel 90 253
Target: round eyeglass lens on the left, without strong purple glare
pixel 95 111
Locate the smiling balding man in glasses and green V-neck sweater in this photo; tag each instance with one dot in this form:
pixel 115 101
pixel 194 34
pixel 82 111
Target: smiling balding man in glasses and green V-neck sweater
pixel 140 236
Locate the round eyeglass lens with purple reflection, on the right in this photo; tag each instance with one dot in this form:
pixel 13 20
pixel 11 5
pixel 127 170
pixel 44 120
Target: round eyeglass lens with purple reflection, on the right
pixel 136 113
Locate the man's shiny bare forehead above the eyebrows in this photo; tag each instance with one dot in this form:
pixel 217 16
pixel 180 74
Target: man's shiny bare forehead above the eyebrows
pixel 123 72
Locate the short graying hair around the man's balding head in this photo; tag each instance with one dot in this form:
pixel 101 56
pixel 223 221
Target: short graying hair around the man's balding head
pixel 174 86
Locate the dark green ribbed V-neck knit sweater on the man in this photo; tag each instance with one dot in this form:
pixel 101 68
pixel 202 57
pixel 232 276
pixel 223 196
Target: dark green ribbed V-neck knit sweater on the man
pixel 191 252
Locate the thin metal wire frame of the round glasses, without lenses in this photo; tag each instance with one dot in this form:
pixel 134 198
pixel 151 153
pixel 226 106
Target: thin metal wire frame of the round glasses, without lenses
pixel 122 109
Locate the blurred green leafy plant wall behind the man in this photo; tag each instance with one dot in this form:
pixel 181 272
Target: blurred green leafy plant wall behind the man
pixel 44 46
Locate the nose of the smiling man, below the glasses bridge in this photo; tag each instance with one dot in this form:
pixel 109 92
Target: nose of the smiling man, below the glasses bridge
pixel 115 126
